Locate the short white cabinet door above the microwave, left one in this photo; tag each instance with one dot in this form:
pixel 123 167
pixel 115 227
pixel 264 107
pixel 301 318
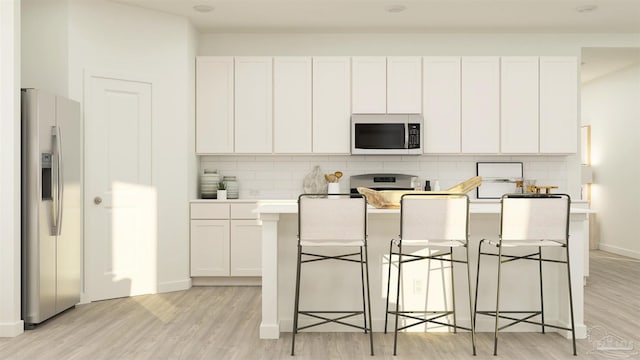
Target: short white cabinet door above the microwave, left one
pixel 369 79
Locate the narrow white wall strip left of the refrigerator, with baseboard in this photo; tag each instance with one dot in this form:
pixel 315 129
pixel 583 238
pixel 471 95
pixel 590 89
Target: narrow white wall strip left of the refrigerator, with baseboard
pixel 10 323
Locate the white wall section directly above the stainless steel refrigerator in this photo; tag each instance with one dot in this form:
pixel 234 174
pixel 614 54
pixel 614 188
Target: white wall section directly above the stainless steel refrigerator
pixel 44 43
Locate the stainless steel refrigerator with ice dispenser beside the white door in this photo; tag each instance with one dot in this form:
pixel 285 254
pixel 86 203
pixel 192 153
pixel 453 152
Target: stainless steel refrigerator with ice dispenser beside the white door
pixel 51 205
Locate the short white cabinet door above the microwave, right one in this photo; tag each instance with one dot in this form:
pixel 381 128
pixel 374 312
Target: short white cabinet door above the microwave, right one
pixel 404 85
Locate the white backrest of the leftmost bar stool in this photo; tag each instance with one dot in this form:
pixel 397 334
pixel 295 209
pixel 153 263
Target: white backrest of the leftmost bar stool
pixel 332 221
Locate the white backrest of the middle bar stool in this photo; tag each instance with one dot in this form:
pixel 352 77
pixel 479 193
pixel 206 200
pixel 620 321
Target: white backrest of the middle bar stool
pixel 434 217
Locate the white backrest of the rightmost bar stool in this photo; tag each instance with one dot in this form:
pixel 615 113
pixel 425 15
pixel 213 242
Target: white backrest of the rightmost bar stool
pixel 535 218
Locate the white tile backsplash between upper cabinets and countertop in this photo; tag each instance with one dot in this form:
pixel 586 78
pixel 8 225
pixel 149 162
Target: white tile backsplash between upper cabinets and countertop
pixel 281 176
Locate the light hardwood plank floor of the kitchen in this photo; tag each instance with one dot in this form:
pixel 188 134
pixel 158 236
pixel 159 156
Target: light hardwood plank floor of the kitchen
pixel 222 323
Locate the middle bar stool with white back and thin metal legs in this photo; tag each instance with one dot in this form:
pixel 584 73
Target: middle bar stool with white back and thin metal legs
pixel 438 223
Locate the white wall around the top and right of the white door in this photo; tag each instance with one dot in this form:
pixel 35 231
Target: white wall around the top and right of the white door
pixel 114 39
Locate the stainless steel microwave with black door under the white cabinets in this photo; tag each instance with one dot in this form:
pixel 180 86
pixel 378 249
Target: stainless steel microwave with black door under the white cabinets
pixel 386 134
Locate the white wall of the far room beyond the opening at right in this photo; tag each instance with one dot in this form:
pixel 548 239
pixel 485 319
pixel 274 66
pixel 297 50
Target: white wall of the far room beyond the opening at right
pixel 611 106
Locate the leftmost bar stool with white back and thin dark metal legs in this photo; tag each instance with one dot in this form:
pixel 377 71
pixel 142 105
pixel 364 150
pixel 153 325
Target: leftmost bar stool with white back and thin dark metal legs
pixel 334 221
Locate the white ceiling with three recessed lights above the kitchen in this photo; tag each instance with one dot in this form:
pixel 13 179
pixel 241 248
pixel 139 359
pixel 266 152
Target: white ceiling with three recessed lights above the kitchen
pixel 540 16
